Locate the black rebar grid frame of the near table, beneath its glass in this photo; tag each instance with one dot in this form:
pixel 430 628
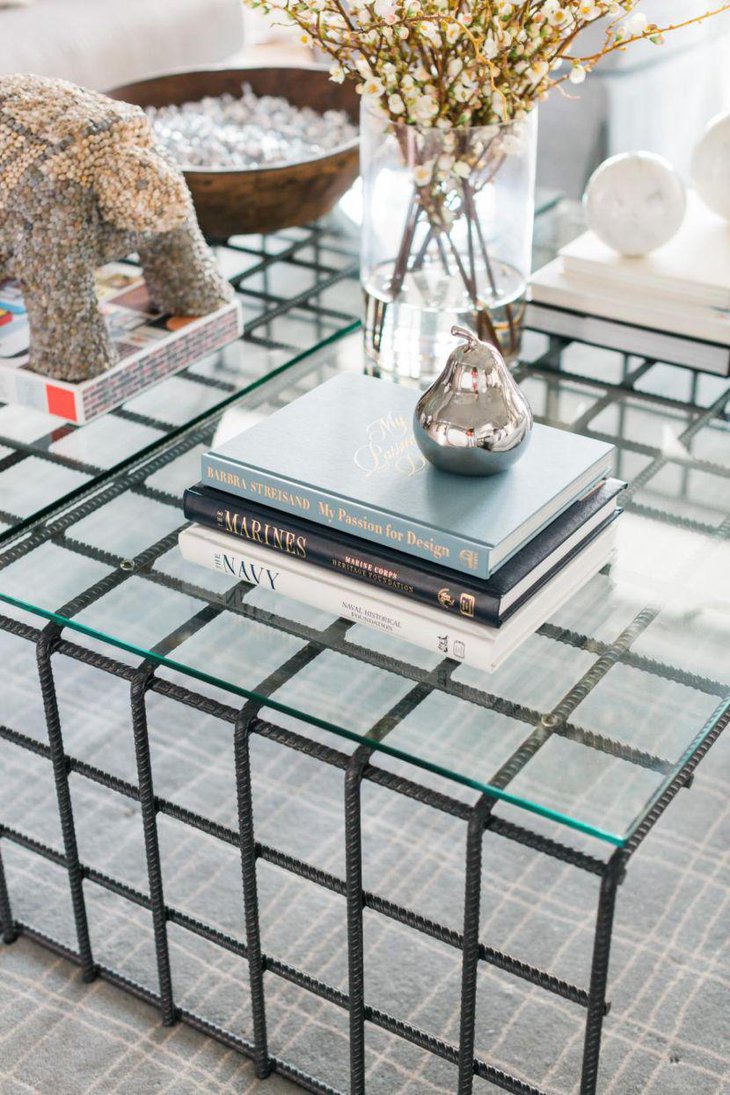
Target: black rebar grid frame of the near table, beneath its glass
pixel 557 375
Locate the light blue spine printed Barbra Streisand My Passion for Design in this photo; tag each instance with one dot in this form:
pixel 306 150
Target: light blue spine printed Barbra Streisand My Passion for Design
pixel 351 518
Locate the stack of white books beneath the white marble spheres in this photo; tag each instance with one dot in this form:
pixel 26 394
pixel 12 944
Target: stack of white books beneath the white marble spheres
pixel 673 305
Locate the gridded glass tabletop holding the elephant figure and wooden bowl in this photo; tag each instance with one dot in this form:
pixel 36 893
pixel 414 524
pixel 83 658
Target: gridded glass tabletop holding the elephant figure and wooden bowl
pixel 296 290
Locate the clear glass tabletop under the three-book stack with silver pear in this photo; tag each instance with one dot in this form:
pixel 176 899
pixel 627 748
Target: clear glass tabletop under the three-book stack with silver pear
pixel 585 725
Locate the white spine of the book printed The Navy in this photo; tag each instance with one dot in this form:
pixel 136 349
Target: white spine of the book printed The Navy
pixel 343 597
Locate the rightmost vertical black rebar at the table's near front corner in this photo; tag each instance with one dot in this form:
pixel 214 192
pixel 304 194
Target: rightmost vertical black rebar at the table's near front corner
pixel 597 1002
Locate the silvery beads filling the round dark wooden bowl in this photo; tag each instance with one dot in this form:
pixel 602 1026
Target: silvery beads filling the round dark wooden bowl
pixel 246 133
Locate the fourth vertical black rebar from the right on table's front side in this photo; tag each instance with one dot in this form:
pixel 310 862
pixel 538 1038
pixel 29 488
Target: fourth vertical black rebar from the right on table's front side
pixel 248 847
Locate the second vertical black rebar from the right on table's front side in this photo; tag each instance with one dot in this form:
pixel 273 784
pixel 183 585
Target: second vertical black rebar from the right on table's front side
pixel 471 946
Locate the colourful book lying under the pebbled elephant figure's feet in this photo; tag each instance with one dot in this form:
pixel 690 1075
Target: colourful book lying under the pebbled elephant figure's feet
pixel 150 347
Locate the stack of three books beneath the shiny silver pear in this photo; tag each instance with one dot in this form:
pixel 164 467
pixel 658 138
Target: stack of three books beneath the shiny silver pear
pixel 330 502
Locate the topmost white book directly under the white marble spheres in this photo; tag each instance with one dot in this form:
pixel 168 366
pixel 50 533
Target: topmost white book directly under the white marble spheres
pixel 693 267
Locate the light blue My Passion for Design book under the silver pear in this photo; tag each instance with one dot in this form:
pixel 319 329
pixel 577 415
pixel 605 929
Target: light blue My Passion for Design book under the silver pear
pixel 344 456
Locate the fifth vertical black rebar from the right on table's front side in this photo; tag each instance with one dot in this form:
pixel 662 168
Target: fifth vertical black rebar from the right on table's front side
pixel 141 684
